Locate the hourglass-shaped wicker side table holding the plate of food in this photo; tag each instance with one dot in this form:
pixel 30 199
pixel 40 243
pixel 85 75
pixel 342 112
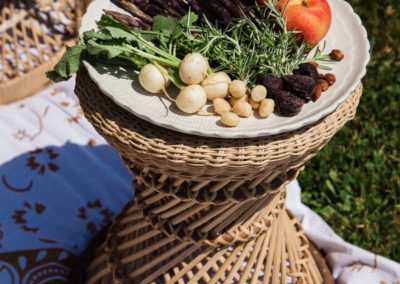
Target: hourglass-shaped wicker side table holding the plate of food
pixel 206 210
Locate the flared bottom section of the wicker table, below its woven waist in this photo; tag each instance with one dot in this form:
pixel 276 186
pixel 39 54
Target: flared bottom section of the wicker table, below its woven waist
pixel 135 252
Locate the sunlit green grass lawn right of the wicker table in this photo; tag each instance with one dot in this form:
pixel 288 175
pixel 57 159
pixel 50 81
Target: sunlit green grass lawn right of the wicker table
pixel 354 182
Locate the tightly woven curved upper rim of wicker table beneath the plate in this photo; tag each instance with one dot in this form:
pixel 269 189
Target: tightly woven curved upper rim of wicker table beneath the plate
pixel 208 170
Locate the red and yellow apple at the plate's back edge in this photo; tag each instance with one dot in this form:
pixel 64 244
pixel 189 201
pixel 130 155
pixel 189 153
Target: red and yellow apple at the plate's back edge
pixel 311 17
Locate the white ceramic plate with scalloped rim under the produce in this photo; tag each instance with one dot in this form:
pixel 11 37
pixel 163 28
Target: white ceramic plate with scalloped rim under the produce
pixel 346 34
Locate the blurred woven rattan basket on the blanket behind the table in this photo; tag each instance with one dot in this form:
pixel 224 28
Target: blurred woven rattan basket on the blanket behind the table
pixel 33 35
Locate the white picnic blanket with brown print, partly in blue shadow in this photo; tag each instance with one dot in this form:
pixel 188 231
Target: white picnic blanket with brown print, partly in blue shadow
pixel 60 184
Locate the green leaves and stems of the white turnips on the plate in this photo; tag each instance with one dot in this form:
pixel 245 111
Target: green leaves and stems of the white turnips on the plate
pixel 117 44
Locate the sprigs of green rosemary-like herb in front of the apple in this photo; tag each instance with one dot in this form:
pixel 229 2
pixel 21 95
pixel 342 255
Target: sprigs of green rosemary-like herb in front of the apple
pixel 253 45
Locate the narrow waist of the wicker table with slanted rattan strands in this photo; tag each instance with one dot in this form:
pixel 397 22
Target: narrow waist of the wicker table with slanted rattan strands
pixel 214 225
